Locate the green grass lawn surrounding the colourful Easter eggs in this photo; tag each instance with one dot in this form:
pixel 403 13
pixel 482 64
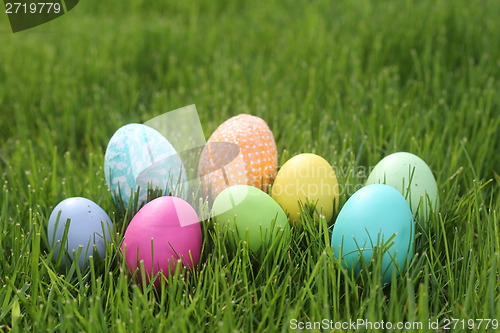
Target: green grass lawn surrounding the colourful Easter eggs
pixel 350 80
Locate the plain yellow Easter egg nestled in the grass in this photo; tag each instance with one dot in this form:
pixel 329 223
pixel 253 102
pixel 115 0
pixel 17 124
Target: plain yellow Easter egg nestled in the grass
pixel 306 179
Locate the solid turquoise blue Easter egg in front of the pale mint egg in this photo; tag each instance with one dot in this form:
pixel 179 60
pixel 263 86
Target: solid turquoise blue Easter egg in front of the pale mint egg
pixel 374 216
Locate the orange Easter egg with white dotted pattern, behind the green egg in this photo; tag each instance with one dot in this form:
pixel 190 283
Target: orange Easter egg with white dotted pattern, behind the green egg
pixel 255 163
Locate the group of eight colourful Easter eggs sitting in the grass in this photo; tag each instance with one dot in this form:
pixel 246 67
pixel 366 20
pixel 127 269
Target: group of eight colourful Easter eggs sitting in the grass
pixel 138 158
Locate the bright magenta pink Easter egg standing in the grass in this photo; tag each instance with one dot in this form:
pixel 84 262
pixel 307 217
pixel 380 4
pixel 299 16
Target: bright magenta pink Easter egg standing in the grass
pixel 163 231
